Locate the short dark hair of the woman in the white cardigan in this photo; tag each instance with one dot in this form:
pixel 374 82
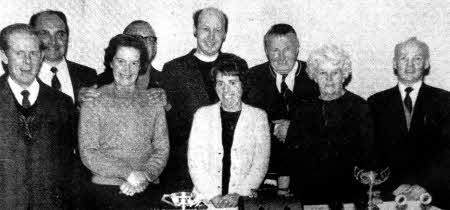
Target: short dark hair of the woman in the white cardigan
pixel 229 65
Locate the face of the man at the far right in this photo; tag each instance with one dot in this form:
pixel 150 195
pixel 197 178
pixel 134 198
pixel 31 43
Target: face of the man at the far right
pixel 410 64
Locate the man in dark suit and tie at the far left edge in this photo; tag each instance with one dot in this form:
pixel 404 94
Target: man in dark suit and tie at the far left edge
pixel 36 129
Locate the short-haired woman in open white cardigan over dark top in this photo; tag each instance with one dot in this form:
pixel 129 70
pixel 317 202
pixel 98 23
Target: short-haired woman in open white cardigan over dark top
pixel 229 144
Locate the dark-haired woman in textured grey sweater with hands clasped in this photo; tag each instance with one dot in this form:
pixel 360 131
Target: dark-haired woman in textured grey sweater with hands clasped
pixel 123 133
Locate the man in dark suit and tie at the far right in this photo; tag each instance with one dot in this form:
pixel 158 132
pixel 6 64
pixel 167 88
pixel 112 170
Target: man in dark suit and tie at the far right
pixel 412 125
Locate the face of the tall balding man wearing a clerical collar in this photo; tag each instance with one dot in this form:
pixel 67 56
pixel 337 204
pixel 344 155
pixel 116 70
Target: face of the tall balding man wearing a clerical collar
pixel 210 32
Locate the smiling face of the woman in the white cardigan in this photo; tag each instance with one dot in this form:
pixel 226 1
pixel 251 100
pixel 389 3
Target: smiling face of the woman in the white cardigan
pixel 229 91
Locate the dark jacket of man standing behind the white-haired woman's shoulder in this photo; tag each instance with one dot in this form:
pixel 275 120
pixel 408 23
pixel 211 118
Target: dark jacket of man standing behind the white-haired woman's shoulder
pixel 263 93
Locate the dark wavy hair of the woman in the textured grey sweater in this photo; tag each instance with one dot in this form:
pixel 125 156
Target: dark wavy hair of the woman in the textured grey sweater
pixel 123 40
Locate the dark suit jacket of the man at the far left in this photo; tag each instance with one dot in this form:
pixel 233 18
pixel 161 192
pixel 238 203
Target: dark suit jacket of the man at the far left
pixel 36 171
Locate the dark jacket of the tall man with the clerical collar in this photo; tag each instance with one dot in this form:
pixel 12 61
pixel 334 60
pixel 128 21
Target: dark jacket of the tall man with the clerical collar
pixel 186 92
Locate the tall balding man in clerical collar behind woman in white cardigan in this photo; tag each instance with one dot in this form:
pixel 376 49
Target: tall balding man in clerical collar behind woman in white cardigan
pixel 189 86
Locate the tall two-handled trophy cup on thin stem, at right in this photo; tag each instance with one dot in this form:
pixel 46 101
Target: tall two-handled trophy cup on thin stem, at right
pixel 371 178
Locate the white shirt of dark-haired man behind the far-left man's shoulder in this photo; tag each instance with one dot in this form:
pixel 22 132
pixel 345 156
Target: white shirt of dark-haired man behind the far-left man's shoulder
pixel 63 75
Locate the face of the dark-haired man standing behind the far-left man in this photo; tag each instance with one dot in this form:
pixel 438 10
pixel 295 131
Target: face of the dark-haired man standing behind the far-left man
pixel 52 33
